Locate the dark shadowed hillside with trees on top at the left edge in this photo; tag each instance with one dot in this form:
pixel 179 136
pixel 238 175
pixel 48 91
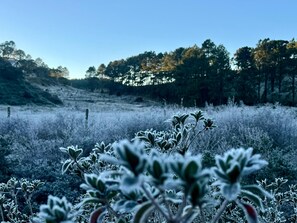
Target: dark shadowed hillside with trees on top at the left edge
pixel 18 69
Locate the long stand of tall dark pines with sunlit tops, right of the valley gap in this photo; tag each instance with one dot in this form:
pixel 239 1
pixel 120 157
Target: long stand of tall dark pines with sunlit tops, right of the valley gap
pixel 207 73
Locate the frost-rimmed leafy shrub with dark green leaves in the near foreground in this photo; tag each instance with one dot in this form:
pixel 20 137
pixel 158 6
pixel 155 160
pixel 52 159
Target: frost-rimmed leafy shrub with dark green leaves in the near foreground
pixel 154 178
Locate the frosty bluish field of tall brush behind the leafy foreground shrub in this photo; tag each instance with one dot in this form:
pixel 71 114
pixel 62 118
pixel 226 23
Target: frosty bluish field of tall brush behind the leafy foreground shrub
pixel 31 137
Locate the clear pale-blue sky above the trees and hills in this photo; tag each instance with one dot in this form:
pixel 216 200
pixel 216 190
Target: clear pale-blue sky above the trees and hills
pixel 82 33
